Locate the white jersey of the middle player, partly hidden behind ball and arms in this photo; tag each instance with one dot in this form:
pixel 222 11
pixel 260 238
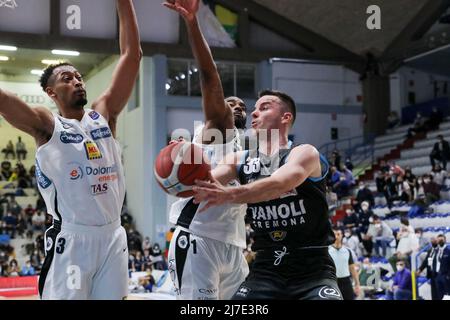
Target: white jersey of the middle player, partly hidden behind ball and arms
pixel 224 222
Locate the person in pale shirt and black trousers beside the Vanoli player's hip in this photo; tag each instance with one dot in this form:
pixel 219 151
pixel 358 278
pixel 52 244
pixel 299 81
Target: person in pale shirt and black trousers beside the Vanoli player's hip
pixel 345 267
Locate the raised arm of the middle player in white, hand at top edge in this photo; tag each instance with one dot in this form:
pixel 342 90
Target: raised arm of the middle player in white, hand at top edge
pixel 218 114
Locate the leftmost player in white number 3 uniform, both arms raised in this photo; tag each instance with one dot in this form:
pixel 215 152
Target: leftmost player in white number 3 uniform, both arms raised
pixel 80 175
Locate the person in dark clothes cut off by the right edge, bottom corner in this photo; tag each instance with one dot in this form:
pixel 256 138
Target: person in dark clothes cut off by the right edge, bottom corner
pixel 443 276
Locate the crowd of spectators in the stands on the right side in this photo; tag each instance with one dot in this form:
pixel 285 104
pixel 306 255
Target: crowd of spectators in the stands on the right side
pixel 382 223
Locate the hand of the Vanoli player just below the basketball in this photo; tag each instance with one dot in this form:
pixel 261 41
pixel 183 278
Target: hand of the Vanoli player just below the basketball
pixel 212 191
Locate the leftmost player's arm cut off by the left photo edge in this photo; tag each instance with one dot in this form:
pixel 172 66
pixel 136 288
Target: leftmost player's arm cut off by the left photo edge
pixel 38 122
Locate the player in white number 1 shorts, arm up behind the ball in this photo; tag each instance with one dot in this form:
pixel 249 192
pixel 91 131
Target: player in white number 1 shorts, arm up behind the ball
pixel 206 258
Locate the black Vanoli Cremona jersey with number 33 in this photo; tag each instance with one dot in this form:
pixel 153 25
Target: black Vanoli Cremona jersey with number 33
pixel 299 218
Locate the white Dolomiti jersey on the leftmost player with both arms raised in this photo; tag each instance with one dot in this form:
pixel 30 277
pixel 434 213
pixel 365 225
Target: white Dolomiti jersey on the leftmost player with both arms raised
pixel 79 171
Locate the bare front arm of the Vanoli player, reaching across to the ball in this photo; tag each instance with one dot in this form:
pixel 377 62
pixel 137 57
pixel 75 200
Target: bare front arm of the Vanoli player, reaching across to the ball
pixel 302 163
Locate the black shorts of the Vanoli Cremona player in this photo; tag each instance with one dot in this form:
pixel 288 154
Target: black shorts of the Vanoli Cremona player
pixel 298 276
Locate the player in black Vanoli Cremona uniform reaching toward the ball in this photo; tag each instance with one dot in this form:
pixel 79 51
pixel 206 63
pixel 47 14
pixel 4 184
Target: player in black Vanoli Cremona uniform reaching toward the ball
pixel 285 192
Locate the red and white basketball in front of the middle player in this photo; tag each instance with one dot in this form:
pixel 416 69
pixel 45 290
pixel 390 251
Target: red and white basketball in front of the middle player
pixel 178 165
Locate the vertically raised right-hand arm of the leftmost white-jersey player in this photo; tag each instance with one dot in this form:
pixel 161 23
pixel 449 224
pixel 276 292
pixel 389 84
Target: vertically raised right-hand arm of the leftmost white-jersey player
pixel 112 102
